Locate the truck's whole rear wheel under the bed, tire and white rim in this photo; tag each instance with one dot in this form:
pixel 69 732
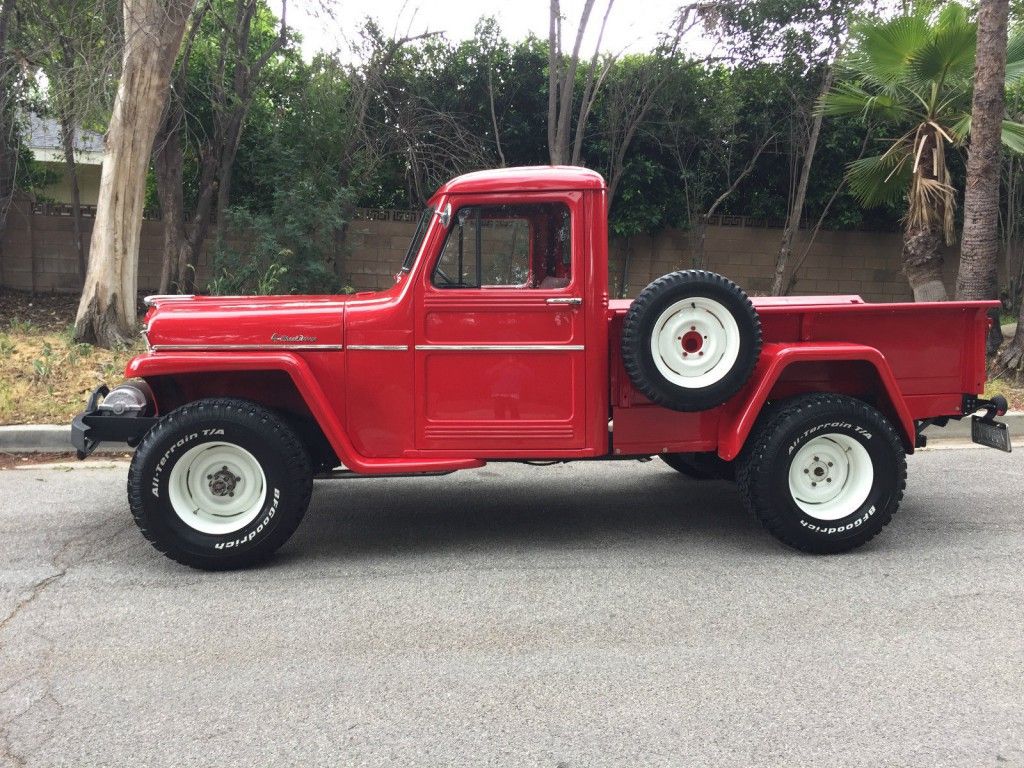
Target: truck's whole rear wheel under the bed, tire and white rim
pixel 837 425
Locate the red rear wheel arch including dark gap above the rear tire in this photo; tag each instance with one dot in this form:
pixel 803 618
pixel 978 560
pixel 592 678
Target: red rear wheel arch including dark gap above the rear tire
pixel 786 371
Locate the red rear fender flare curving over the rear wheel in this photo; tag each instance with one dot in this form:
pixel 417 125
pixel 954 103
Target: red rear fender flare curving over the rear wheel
pixel 776 359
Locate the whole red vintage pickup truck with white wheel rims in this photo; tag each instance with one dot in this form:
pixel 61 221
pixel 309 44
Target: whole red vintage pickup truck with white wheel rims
pixel 498 343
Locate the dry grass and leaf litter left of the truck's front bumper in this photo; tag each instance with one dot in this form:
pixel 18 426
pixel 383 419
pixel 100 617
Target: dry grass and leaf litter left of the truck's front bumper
pixel 45 376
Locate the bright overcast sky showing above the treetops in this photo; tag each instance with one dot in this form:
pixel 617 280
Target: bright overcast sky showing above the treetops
pixel 634 25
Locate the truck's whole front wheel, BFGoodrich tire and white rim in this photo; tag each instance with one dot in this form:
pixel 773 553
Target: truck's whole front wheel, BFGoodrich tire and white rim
pixel 220 484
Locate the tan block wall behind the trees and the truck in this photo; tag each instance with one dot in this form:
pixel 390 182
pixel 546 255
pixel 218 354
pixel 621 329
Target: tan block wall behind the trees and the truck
pixel 38 254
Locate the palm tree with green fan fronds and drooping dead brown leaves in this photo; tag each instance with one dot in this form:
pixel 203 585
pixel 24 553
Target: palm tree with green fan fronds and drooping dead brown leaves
pixel 914 74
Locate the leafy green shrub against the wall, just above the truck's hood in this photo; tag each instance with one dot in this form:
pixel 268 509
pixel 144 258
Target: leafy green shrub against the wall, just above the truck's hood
pixel 291 249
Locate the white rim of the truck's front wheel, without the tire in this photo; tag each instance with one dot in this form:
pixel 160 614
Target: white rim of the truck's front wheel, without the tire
pixel 218 488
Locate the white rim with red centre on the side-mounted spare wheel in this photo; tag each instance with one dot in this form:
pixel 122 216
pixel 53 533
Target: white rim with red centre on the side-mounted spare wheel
pixel 696 343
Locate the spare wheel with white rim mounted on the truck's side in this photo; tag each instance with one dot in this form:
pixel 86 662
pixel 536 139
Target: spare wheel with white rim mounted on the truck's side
pixel 691 340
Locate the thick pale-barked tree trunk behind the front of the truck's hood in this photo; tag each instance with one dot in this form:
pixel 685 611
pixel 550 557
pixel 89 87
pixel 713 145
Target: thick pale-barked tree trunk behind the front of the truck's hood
pixel 107 314
